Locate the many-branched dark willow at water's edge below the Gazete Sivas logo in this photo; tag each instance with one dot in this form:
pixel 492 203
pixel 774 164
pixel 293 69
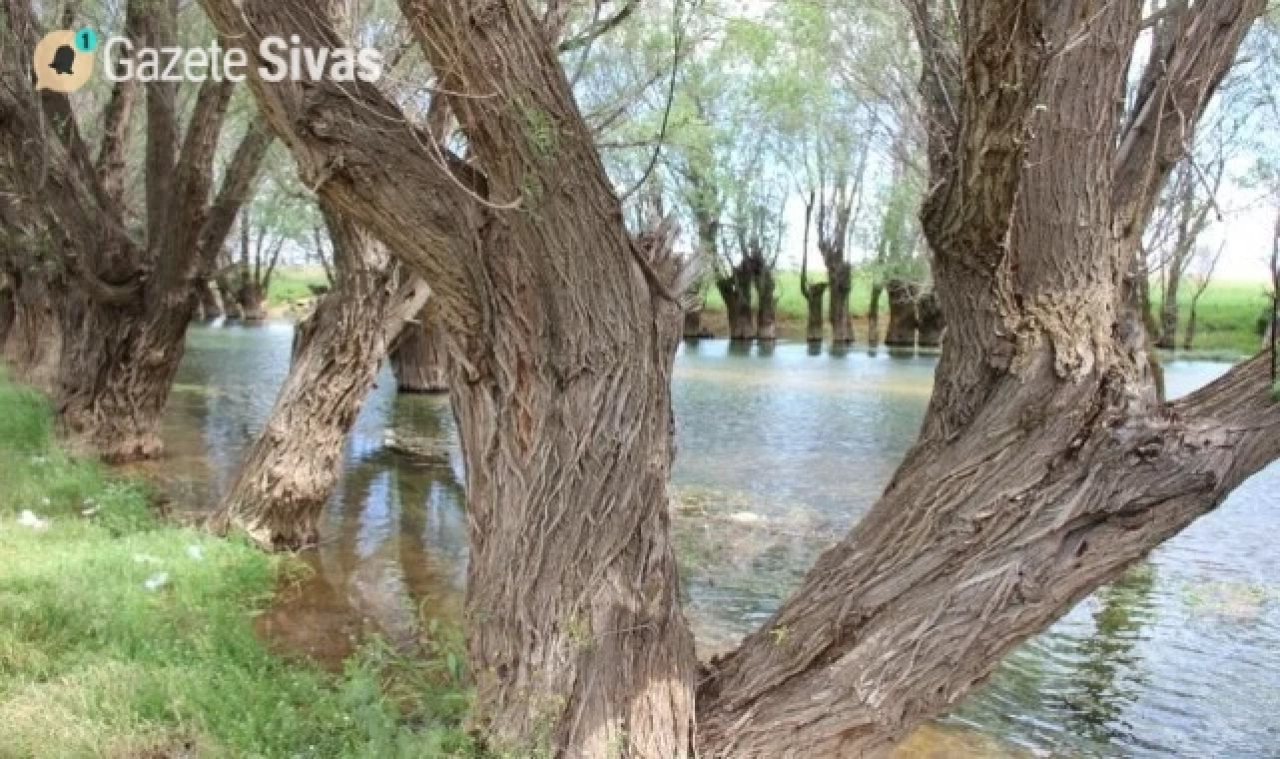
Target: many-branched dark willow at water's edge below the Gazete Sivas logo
pixel 124 298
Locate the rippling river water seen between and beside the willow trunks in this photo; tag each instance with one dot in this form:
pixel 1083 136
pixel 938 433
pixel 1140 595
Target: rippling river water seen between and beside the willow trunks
pixel 780 452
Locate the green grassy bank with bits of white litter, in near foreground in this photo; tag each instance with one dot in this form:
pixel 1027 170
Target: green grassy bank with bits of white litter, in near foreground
pixel 122 635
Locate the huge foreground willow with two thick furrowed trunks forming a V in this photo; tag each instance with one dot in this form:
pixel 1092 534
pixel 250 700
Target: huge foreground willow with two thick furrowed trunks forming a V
pixel 1045 467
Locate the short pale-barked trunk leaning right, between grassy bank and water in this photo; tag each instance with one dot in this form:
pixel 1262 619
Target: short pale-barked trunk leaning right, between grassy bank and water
pixel 290 473
